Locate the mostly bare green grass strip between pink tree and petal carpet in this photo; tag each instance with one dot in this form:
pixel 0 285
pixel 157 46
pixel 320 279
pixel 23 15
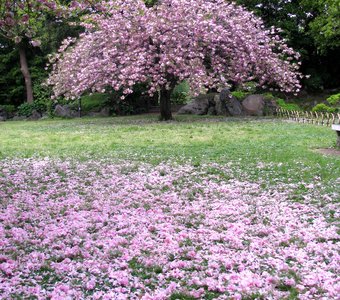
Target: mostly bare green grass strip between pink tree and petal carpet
pixel 268 149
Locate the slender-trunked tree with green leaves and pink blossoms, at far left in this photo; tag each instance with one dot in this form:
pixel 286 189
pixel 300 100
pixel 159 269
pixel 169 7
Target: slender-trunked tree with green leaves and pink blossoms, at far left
pixel 23 21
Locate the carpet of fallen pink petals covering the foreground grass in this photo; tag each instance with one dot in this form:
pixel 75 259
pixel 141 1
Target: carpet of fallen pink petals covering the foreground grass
pixel 122 230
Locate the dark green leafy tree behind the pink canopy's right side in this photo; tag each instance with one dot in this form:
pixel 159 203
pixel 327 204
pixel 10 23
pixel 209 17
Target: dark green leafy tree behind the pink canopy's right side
pixel 312 28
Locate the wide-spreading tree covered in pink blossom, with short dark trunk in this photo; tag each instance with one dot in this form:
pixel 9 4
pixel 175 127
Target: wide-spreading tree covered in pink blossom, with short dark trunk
pixel 208 43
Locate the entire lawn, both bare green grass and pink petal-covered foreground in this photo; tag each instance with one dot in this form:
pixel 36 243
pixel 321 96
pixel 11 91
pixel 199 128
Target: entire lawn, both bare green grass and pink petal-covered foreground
pixel 110 209
